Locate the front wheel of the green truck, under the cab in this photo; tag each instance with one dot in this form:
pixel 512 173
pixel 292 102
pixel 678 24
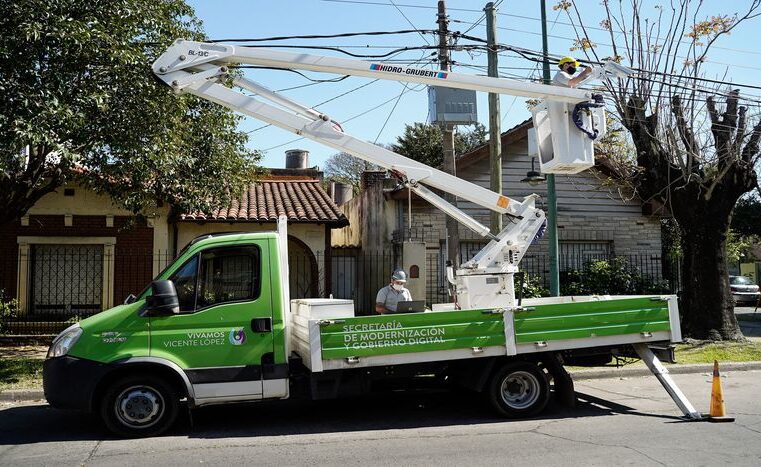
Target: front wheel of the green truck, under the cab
pixel 136 406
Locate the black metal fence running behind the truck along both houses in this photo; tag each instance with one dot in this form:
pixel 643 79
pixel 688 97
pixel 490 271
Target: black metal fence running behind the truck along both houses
pixel 44 291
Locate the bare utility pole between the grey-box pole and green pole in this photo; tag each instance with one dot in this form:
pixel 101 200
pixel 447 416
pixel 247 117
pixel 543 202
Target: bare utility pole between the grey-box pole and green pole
pixel 495 132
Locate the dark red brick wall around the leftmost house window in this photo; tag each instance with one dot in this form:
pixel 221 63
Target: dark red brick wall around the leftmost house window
pixel 133 250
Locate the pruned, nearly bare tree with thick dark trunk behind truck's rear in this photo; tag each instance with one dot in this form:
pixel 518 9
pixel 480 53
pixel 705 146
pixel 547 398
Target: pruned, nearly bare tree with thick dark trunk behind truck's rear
pixel 692 156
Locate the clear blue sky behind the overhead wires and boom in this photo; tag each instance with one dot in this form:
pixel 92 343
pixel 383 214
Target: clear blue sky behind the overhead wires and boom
pixel 376 112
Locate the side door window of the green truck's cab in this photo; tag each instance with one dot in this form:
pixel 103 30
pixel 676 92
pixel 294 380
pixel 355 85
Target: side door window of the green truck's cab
pixel 228 275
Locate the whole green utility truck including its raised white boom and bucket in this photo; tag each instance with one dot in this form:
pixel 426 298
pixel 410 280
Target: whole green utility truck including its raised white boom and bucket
pixel 218 324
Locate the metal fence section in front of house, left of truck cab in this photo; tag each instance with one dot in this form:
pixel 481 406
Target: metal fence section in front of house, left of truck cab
pixel 54 285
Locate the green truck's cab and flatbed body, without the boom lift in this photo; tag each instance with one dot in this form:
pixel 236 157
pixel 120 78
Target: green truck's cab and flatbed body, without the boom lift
pixel 216 326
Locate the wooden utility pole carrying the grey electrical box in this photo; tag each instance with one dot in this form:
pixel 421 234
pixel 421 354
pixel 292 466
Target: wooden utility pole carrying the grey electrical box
pixel 452 227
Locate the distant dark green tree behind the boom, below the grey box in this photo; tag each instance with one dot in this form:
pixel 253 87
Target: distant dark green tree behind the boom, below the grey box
pixel 423 142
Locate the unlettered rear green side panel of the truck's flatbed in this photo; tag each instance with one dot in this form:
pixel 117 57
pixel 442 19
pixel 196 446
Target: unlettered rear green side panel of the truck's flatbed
pixel 591 319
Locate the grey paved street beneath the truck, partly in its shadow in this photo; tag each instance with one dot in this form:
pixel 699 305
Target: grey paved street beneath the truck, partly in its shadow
pixel 619 421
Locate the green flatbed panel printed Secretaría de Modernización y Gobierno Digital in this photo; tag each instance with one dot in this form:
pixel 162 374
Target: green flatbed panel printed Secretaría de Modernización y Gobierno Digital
pixel 364 336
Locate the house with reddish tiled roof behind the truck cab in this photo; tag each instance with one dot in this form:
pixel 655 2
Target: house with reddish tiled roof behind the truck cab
pixel 76 253
